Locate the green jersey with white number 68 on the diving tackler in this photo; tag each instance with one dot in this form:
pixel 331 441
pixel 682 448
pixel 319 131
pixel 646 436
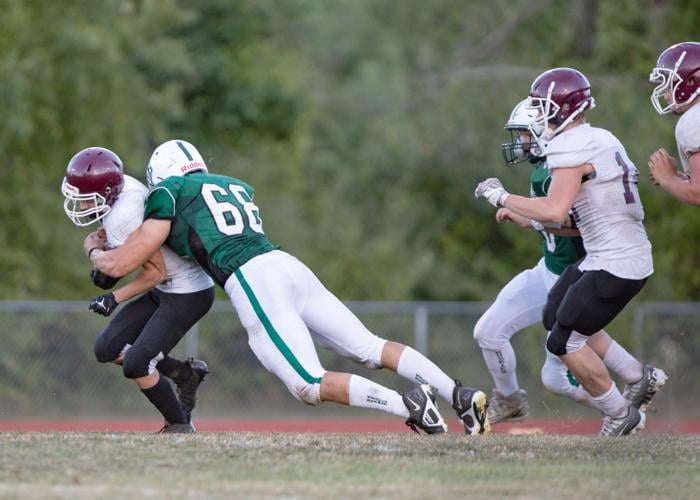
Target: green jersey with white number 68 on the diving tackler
pixel 214 221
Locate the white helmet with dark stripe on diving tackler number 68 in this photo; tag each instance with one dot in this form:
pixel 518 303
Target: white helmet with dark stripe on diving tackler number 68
pixel 171 158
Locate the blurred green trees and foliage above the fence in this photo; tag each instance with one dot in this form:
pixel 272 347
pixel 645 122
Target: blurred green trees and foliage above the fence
pixel 363 124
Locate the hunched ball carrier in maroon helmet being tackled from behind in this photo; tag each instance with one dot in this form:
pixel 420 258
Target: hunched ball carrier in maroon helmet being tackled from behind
pixel 177 292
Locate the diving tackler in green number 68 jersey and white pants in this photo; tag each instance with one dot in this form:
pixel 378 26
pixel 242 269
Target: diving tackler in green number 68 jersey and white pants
pixel 280 302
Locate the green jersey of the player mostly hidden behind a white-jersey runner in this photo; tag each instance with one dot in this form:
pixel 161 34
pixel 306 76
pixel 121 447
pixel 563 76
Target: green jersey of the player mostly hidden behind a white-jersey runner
pixel 559 251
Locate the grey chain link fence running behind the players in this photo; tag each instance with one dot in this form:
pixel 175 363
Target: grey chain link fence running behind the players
pixel 48 369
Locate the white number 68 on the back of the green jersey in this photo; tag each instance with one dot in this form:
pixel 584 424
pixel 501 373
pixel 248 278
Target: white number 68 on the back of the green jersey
pixel 227 215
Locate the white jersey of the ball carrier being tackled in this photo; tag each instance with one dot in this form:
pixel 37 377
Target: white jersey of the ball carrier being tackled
pixel 126 215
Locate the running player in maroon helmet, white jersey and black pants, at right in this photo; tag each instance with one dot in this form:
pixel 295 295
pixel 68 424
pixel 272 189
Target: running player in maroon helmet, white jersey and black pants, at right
pixel 592 177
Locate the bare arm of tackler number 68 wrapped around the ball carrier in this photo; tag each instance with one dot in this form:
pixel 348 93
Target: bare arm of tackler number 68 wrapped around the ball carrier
pixel 138 248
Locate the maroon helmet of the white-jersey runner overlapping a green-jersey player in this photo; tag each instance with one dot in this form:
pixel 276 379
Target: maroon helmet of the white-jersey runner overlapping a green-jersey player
pixel 560 95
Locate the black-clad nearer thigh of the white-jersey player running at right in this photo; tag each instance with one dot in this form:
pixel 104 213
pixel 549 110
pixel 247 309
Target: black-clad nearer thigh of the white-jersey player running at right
pixel 595 300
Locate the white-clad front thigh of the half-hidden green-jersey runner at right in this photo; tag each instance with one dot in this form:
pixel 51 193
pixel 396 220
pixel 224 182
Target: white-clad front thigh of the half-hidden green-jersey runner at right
pixel 518 305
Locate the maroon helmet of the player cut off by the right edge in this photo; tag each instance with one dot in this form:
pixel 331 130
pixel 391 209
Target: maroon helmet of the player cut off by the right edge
pixel 677 77
